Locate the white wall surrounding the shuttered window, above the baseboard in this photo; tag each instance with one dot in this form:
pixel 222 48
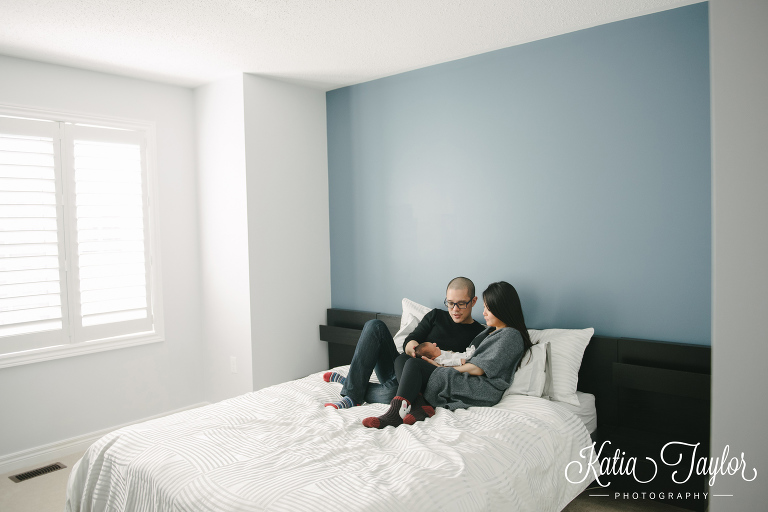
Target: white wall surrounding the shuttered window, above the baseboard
pixel 49 401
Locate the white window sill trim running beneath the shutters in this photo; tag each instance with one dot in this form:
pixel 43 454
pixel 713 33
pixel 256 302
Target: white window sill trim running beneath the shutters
pixel 77 349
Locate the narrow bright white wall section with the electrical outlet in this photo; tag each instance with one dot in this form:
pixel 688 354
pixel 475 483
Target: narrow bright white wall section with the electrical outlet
pixel 223 238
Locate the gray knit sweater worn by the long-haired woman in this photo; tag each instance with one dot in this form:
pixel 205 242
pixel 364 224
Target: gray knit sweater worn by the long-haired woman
pixel 498 353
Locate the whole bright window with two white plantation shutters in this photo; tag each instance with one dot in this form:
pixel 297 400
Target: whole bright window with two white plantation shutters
pixel 77 269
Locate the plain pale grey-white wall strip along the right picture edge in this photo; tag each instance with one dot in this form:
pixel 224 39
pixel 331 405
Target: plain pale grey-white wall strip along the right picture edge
pixel 738 45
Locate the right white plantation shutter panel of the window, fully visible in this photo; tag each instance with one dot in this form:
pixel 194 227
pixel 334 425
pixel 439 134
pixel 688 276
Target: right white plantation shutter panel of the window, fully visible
pixel 110 214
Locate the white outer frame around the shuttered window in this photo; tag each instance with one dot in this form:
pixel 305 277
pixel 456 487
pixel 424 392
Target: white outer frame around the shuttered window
pixel 73 348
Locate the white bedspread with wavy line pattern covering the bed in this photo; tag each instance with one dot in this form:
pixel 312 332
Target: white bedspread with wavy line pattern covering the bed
pixel 279 449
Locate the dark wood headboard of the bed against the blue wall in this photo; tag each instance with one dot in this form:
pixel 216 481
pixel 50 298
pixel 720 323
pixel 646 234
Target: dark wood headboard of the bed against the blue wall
pixel 646 392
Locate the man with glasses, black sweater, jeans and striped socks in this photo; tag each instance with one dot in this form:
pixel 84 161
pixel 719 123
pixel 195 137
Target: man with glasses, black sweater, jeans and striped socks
pixel 375 351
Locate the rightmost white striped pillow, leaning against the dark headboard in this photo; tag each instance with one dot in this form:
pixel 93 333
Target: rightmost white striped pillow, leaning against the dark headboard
pixel 567 348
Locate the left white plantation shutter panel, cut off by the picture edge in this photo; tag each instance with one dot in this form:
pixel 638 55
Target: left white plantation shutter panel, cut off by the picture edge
pixel 32 312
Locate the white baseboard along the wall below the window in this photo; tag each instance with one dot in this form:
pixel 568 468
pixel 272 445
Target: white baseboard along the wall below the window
pixel 39 455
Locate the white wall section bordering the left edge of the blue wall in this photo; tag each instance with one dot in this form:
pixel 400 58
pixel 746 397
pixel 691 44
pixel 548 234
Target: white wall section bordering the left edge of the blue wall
pixel 288 233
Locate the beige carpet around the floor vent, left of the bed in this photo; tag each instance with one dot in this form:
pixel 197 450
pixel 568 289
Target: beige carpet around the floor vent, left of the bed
pixel 44 493
